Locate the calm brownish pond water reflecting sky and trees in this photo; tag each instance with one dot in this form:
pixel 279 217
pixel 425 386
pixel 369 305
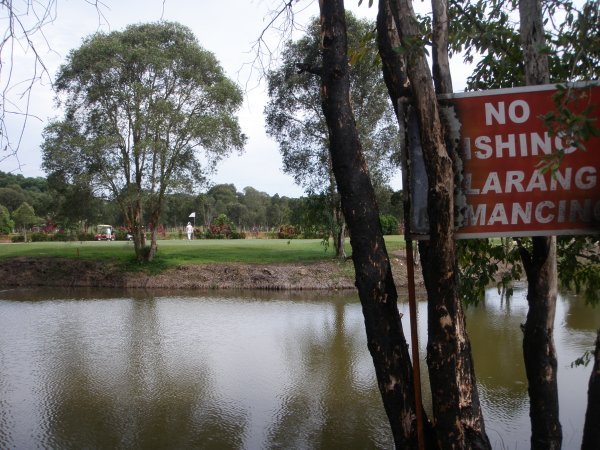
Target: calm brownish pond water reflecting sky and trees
pixel 111 369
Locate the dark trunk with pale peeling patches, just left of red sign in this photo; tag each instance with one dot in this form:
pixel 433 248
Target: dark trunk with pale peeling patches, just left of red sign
pixel 457 411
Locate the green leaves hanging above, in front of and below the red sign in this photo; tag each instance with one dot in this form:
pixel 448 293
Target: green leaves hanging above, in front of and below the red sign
pixel 487 35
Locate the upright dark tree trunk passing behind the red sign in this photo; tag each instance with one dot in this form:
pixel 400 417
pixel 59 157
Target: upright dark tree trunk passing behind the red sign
pixel 540 267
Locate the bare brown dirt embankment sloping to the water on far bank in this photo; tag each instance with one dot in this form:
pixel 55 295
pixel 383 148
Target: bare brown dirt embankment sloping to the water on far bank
pixel 332 275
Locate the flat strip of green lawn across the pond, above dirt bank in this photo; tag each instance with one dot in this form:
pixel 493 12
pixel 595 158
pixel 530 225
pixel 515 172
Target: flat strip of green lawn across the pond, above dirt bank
pixel 176 252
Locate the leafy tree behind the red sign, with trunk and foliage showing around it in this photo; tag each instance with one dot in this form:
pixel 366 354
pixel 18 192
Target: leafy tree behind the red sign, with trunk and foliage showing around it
pixel 544 50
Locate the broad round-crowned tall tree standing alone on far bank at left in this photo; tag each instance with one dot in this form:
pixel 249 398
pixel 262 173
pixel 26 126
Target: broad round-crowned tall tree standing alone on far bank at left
pixel 139 105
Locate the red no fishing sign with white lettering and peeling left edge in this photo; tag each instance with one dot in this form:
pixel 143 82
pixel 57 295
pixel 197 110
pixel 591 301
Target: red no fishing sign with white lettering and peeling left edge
pixel 505 144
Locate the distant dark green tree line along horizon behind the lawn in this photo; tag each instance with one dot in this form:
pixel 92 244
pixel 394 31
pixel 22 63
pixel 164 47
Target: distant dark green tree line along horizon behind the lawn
pixel 56 206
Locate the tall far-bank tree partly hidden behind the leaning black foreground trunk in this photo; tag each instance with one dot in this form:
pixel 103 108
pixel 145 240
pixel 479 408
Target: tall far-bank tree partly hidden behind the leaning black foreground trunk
pixel 294 117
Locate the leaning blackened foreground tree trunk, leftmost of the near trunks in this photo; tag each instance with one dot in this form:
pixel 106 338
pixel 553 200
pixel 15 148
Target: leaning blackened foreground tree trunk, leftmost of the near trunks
pixel 376 288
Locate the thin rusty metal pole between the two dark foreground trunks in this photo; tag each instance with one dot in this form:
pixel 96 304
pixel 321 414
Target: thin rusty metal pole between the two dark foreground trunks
pixel 414 341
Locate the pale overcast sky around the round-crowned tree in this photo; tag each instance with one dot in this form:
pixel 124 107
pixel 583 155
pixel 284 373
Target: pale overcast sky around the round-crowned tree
pixel 228 28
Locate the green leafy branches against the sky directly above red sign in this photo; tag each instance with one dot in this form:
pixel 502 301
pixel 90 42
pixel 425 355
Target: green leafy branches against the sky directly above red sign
pixel 487 35
